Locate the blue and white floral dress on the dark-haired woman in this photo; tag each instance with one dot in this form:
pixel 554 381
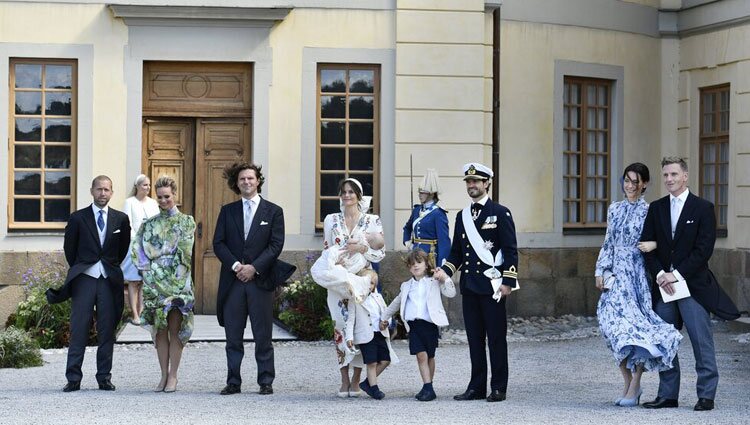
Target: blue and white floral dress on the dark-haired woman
pixel 632 330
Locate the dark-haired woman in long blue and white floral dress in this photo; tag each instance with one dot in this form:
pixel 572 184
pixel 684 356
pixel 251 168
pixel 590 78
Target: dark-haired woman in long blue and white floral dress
pixel 639 339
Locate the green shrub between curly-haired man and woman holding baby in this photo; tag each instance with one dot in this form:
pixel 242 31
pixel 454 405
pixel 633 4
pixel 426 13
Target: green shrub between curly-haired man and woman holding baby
pixel 302 307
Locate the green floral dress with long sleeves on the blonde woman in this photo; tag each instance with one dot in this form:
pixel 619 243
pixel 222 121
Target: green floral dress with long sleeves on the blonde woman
pixel 163 250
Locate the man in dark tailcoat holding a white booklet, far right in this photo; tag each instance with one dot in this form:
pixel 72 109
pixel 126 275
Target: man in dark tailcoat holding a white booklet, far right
pixel 684 228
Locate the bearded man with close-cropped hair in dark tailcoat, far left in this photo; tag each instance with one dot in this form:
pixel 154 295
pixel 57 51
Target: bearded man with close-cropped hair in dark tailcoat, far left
pixel 97 239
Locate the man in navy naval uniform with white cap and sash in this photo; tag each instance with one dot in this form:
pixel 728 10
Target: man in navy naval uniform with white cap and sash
pixel 484 248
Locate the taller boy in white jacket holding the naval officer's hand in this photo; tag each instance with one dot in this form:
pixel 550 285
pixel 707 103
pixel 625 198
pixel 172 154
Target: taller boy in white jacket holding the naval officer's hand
pixel 421 309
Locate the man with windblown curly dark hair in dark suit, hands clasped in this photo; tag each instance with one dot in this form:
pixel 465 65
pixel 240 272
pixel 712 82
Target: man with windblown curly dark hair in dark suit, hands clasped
pixel 248 240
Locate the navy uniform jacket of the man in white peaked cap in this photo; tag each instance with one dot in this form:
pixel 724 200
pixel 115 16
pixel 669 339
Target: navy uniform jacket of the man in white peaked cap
pixel 495 224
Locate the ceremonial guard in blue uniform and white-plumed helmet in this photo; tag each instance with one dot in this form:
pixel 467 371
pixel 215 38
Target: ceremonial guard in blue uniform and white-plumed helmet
pixel 427 228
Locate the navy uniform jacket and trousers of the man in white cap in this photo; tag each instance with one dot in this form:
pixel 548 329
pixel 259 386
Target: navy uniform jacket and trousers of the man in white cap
pixel 484 318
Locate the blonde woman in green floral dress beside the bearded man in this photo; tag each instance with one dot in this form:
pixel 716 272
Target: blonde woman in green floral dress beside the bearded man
pixel 162 252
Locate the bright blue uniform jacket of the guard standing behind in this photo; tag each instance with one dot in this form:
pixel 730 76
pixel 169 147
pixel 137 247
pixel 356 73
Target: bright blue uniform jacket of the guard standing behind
pixel 430 234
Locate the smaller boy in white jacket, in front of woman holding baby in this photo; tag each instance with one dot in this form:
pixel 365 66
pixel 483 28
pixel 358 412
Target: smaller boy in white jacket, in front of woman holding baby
pixel 366 329
